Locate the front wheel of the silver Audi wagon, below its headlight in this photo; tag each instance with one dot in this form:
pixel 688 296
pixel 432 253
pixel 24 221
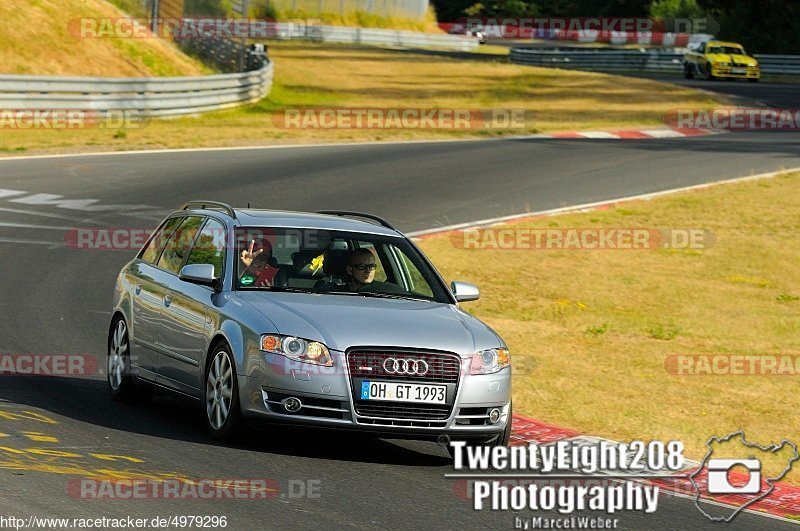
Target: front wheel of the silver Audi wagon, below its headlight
pixel 221 397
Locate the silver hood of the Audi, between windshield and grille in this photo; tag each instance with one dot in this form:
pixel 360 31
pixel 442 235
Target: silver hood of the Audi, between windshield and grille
pixel 345 321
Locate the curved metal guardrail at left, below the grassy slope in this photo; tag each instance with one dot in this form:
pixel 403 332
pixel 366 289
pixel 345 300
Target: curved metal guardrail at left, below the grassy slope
pixel 144 97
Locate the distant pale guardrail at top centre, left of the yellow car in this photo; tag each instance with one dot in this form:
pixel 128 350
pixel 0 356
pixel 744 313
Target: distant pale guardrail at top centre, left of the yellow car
pixel 289 30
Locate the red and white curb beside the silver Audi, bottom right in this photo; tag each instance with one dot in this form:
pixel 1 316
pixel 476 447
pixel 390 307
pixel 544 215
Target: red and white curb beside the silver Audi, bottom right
pixel 783 502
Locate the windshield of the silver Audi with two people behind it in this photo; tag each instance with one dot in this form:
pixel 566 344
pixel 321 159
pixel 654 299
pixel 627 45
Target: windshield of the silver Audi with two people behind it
pixel 339 263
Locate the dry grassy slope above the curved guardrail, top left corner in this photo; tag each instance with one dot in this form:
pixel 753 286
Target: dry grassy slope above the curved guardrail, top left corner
pixel 35 38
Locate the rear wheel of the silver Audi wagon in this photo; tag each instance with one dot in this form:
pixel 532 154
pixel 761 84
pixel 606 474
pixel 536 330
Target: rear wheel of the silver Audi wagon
pixel 123 386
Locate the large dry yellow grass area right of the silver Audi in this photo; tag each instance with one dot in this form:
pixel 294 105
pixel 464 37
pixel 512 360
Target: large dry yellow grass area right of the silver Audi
pixel 594 333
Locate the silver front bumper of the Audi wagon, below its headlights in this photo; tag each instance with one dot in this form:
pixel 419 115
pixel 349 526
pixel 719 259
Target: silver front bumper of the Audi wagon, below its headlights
pixel 327 401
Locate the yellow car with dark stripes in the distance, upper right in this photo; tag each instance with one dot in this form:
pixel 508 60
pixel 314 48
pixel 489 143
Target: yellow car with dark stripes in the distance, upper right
pixel 716 59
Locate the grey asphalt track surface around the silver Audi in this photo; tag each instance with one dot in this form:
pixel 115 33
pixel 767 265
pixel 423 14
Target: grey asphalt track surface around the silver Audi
pixel 55 299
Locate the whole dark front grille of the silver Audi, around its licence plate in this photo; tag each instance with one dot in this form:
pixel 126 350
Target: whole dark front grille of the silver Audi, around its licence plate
pixel 369 365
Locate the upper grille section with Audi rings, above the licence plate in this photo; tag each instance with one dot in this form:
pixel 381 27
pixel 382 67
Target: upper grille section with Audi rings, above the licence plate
pixel 442 368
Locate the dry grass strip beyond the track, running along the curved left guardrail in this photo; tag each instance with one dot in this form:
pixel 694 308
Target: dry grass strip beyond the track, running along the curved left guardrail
pixel 313 75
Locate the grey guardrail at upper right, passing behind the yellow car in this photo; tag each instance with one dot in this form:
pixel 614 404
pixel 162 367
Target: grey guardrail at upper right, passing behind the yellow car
pixel 635 60
